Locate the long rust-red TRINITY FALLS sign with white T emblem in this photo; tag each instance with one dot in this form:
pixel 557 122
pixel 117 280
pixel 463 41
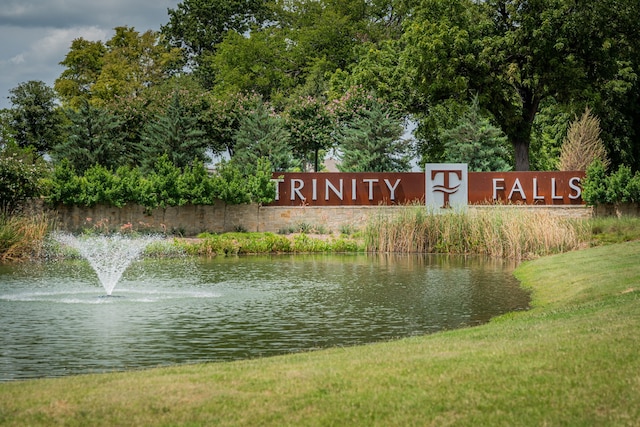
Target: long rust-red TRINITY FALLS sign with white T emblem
pixel 441 185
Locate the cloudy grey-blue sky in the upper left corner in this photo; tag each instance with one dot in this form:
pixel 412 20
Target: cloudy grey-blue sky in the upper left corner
pixel 35 35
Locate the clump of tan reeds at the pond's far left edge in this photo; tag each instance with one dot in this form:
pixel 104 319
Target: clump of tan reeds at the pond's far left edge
pixel 22 236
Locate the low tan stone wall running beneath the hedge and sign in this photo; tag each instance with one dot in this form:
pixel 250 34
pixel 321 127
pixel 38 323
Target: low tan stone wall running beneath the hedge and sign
pixel 191 220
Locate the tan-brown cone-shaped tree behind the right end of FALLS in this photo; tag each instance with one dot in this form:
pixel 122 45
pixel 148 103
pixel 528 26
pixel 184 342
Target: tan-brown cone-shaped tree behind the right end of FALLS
pixel 582 144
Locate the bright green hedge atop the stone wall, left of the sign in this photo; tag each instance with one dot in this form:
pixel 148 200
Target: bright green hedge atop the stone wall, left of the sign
pixel 162 186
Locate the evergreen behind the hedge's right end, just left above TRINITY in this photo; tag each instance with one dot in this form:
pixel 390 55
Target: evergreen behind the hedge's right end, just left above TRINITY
pixel 262 134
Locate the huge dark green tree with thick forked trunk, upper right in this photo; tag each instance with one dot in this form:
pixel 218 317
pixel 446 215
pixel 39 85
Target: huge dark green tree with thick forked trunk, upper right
pixel 517 53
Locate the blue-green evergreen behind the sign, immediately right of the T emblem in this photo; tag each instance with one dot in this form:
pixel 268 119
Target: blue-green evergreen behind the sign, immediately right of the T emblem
pixel 475 141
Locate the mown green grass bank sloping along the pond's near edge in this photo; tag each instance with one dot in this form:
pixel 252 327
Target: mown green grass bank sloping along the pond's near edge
pixel 571 360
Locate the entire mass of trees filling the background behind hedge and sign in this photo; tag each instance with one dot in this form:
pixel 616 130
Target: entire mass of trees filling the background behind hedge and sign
pixel 494 83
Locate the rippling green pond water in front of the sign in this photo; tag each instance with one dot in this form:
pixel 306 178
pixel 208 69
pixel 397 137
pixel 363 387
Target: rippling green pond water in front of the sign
pixel 57 320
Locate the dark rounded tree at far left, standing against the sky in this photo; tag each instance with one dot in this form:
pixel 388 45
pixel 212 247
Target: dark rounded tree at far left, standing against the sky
pixel 35 121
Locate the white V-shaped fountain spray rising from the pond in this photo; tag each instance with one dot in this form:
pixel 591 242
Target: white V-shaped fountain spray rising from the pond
pixel 108 255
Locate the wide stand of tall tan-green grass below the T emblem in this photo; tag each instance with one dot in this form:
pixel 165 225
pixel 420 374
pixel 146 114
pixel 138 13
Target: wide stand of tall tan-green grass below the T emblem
pixel 506 232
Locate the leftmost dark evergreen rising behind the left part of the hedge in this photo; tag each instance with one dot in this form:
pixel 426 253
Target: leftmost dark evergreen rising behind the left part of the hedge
pixel 95 137
